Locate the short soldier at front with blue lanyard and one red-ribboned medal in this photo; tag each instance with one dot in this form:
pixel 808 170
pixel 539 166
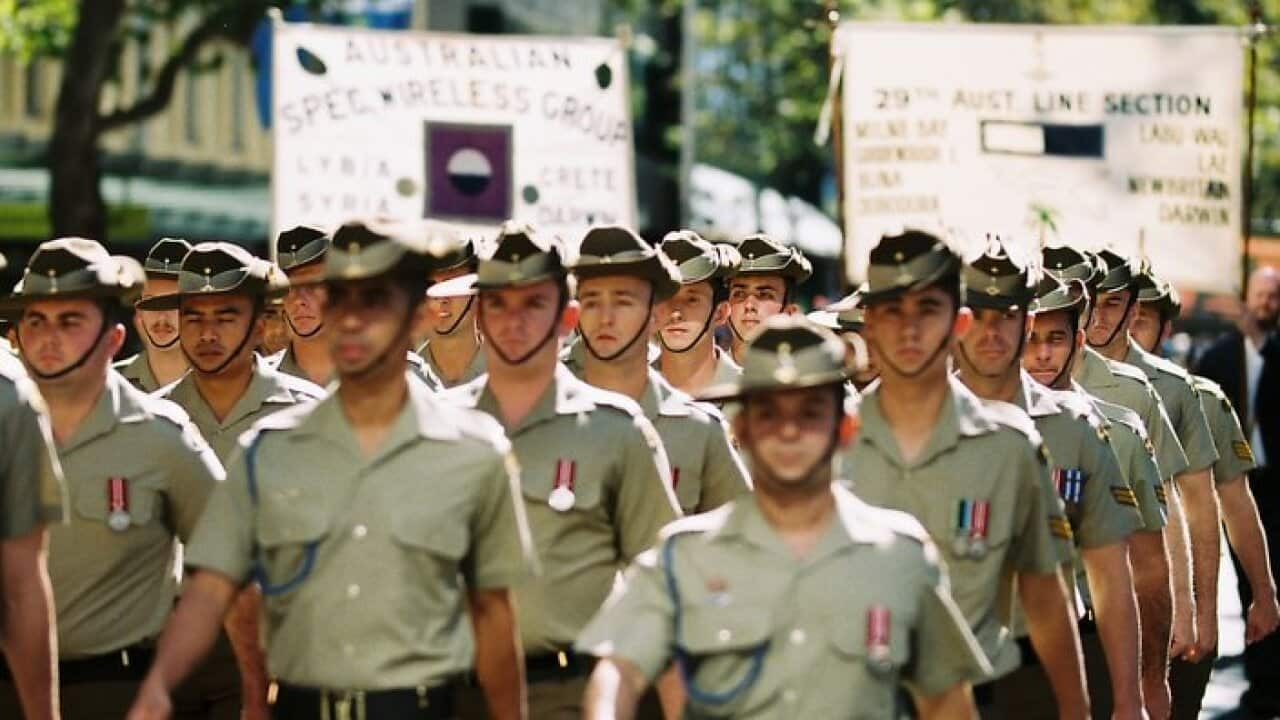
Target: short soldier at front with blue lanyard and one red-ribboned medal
pixel 765 605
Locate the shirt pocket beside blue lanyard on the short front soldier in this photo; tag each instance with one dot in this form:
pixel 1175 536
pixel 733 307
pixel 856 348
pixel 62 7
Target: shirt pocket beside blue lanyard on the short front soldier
pixel 725 651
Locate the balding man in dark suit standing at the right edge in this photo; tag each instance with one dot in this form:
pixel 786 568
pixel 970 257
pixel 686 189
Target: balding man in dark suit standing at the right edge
pixel 1246 363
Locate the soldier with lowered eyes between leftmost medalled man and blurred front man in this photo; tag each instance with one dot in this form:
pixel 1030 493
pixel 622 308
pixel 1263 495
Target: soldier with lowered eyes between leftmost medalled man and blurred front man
pixel 221 294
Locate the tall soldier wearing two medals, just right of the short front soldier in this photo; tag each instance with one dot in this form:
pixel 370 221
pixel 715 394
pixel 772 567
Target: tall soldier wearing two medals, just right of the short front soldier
pixel 976 476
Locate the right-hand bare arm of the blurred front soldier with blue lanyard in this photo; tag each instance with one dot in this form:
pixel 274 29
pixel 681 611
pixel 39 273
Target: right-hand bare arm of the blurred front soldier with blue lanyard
pixel 500 660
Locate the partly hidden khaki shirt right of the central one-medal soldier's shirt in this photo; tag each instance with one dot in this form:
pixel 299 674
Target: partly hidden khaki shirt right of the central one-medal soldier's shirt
pixel 706 471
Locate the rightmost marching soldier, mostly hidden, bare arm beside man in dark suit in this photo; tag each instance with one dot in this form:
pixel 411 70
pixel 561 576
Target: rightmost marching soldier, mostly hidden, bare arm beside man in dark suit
pixel 1156 311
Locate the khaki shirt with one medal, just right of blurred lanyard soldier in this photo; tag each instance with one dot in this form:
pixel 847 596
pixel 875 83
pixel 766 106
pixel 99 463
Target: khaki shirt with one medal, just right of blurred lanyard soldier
pixel 601 445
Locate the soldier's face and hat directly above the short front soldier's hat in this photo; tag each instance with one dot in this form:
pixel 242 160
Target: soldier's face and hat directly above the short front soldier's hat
pixel 765 285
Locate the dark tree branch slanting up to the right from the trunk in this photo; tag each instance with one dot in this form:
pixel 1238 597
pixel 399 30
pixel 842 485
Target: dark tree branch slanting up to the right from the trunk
pixel 231 22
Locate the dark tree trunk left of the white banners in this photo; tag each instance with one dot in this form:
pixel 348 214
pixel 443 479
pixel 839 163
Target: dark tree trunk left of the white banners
pixel 76 204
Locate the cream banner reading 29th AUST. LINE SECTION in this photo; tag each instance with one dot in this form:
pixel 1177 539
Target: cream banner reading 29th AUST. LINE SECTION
pixel 1084 135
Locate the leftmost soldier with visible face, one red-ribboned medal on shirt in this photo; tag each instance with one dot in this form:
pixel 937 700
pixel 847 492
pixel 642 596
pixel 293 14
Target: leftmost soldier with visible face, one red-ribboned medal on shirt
pixel 138 475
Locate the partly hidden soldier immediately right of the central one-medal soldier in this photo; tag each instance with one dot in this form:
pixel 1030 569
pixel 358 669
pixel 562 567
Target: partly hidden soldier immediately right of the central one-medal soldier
pixel 620 280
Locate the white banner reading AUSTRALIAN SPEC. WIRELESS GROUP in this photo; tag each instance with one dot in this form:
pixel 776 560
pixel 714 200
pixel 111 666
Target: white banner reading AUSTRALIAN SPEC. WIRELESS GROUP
pixel 470 130
